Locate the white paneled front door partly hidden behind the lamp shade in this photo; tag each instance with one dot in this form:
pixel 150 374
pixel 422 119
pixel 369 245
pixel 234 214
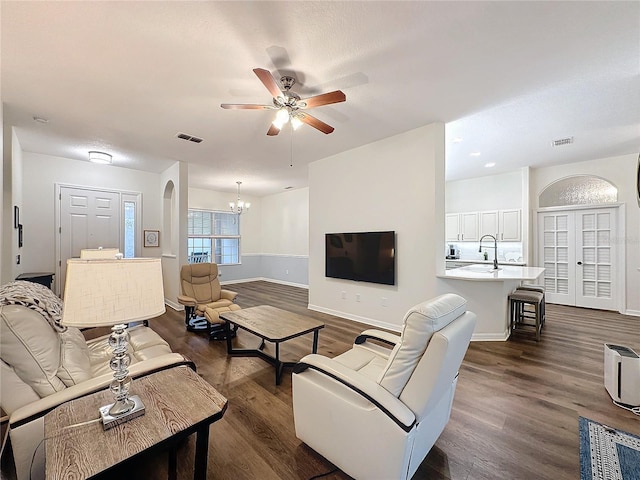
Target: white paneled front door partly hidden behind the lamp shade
pixel 88 219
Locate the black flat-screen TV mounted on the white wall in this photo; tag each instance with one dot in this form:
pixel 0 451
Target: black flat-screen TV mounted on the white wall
pixel 361 256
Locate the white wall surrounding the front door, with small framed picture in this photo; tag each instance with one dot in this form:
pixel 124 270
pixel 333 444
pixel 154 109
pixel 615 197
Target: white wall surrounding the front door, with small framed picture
pixel 42 172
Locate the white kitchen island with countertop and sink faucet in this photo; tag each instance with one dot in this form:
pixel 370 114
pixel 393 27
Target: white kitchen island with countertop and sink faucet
pixel 486 291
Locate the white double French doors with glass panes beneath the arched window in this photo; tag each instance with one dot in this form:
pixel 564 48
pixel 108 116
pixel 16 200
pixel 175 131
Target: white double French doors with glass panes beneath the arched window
pixel 579 254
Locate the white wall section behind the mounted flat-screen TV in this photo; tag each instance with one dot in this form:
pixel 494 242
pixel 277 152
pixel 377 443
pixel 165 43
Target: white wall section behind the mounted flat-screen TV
pixel 393 184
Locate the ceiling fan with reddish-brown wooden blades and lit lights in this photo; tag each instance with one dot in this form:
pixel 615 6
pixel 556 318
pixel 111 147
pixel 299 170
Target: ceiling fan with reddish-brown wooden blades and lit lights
pixel 289 105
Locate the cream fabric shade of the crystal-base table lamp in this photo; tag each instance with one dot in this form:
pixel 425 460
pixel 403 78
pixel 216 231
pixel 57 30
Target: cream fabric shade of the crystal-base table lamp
pixel 110 292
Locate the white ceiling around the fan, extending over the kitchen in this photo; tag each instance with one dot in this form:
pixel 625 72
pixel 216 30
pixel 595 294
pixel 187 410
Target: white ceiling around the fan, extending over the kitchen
pixel 506 77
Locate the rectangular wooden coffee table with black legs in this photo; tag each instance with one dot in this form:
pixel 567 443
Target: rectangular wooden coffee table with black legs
pixel 274 325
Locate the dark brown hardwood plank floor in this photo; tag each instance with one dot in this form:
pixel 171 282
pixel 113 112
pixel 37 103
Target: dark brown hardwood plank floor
pixel 515 413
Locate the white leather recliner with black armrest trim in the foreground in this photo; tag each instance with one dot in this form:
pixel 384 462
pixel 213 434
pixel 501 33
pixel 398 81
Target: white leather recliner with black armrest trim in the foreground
pixel 375 411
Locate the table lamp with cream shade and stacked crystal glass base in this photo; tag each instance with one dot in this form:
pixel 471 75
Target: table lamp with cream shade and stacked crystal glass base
pixel 114 292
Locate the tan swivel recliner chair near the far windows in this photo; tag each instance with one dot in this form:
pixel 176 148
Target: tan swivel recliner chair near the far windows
pixel 204 299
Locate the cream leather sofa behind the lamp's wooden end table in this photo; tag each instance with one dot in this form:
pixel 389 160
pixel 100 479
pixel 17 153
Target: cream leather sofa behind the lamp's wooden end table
pixel 42 368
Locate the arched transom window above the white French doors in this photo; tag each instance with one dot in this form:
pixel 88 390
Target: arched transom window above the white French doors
pixel 578 190
